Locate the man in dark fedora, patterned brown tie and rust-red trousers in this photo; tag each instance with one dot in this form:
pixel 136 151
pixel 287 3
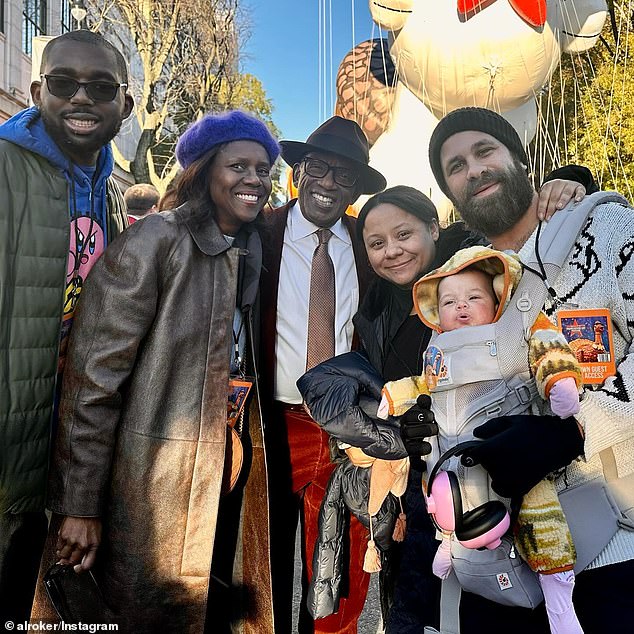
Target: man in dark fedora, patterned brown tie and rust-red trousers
pixel 314 274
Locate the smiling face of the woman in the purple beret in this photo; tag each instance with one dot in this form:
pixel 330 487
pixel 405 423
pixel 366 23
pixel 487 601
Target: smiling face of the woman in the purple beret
pixel 239 184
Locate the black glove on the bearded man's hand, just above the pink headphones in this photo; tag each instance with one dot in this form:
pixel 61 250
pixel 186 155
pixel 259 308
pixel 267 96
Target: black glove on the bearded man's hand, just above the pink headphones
pixel 518 451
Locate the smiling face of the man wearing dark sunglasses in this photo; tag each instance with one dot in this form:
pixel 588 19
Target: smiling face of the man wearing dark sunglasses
pixel 78 125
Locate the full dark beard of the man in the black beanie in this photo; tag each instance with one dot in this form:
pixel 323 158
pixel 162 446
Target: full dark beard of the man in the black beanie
pixel 500 211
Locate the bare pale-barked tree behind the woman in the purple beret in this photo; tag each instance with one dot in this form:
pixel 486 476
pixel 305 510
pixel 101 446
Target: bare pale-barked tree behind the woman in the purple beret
pixel 184 62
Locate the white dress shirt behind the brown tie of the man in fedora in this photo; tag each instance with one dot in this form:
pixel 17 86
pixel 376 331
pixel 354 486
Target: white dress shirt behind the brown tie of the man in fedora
pixel 300 242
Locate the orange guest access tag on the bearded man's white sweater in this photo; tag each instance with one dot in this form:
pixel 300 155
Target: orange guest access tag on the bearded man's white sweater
pixel 589 335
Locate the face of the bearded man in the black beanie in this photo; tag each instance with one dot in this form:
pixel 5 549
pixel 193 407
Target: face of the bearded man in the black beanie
pixel 488 186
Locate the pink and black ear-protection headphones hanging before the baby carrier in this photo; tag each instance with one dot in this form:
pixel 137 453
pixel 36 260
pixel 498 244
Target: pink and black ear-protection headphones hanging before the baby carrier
pixel 481 527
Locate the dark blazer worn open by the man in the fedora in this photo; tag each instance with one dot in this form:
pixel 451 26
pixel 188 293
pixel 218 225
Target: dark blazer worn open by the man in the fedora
pixel 272 243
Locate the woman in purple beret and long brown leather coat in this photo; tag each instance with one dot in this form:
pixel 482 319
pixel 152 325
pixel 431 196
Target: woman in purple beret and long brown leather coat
pixel 146 465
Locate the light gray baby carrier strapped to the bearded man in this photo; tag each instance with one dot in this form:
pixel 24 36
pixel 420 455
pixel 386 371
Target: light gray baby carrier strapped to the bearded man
pixel 485 378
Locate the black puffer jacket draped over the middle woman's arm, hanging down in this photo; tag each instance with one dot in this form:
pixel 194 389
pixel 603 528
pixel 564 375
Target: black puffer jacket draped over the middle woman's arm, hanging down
pixel 342 395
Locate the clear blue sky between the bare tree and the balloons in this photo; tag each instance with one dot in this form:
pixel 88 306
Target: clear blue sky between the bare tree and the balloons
pixel 284 52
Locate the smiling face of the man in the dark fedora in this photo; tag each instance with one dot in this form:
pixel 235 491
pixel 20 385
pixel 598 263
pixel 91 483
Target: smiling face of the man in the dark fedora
pixel 323 201
